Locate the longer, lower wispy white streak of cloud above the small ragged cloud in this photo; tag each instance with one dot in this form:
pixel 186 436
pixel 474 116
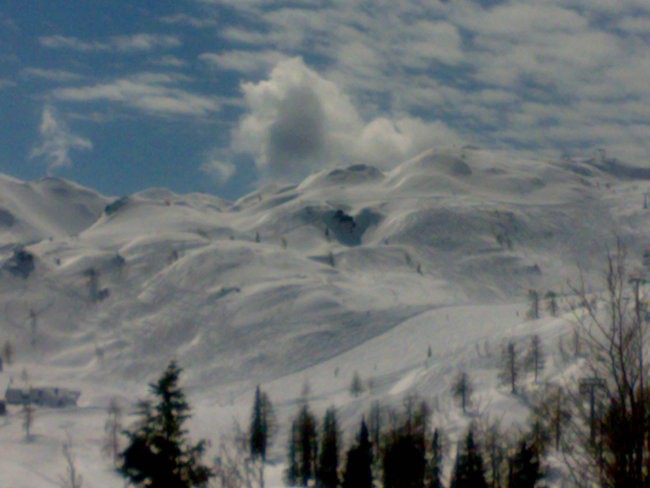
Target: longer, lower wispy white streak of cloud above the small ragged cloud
pixel 154 93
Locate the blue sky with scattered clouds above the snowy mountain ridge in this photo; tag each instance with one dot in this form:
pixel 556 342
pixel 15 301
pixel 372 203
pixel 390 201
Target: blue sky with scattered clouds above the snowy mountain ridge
pixel 223 96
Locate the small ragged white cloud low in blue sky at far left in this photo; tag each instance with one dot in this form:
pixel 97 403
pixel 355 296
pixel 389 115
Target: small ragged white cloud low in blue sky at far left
pixel 56 141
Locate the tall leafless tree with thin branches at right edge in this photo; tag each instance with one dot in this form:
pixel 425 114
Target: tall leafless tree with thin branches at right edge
pixel 610 410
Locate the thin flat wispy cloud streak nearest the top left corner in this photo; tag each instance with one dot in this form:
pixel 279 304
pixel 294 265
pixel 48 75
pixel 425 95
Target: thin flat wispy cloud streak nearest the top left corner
pixel 125 44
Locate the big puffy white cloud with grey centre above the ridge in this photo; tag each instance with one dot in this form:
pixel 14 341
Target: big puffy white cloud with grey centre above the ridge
pixel 297 121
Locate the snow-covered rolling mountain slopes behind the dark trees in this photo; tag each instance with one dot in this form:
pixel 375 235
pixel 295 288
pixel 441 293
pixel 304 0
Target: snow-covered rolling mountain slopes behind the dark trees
pixel 353 269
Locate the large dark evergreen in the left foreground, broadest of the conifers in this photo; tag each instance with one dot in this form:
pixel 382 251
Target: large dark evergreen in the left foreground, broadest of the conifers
pixel 159 454
